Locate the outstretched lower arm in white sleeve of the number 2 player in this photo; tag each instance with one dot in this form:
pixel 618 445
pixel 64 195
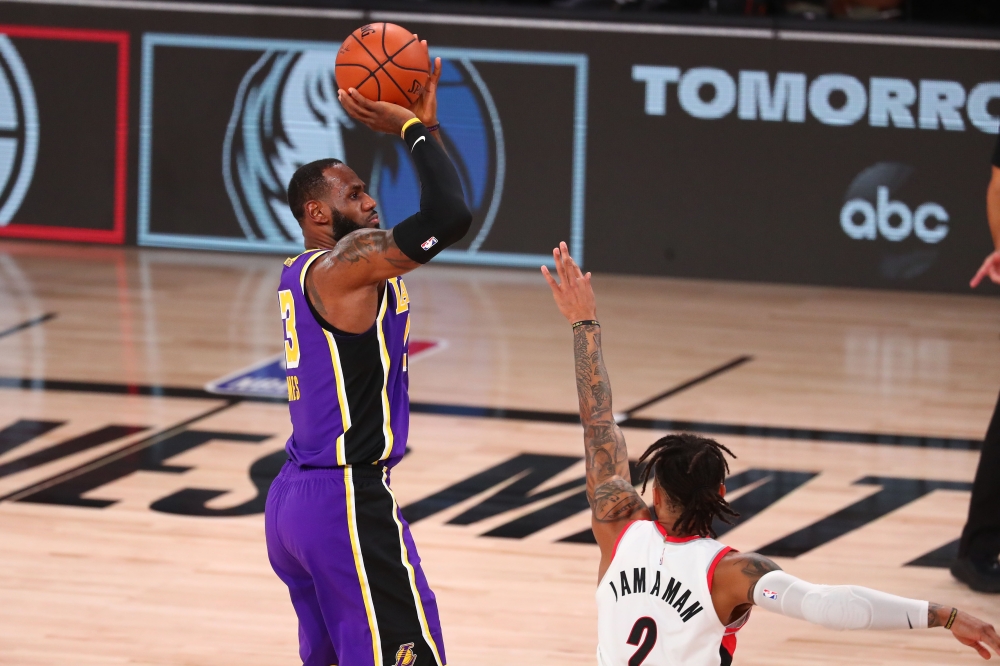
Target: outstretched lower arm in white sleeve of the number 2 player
pixel 746 579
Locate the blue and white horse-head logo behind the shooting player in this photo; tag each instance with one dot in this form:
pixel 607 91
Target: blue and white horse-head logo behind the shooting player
pixel 286 114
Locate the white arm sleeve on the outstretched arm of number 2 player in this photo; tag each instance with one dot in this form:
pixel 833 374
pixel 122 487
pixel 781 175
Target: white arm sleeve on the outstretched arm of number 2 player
pixel 838 606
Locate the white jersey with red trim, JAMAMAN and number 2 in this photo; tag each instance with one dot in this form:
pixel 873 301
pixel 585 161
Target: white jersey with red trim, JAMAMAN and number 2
pixel 654 604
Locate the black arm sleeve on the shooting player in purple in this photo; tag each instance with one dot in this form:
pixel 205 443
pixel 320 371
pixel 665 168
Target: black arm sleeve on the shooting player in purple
pixel 443 218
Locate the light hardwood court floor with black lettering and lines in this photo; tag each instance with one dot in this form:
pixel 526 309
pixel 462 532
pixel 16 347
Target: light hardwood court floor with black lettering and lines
pixel 854 424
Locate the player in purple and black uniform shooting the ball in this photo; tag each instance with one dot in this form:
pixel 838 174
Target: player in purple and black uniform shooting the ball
pixel 335 534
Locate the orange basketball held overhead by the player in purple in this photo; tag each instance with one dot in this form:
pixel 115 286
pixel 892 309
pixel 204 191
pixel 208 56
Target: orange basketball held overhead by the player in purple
pixel 384 62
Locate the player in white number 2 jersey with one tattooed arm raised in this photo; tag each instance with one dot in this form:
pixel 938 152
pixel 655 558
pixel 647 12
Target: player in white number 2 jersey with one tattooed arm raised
pixel 668 593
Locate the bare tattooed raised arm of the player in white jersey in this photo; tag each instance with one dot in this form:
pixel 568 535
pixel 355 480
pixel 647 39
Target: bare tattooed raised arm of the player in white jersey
pixel 613 499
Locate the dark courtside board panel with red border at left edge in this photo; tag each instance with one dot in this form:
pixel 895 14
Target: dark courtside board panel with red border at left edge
pixel 63 133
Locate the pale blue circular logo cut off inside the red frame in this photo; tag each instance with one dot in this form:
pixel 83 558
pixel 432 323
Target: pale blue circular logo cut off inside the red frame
pixel 18 131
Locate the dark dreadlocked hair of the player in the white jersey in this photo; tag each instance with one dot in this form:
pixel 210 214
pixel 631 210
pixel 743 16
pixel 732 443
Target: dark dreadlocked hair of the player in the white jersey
pixel 690 470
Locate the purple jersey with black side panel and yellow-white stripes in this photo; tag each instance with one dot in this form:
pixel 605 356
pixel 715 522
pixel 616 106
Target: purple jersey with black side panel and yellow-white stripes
pixel 348 395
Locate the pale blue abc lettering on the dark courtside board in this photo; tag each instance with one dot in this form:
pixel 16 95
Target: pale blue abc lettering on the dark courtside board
pixel 893 220
